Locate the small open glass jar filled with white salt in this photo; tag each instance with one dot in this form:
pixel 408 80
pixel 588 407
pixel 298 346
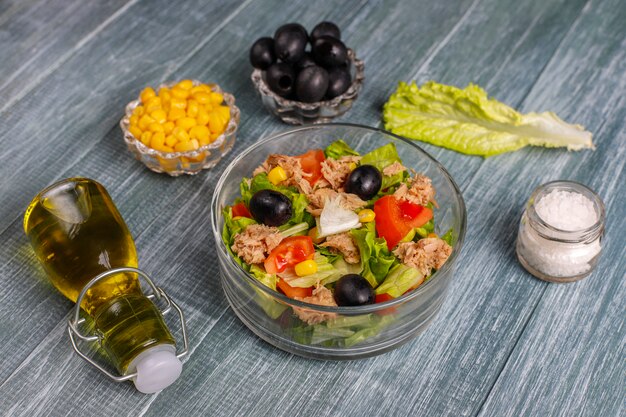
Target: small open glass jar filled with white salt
pixel 560 232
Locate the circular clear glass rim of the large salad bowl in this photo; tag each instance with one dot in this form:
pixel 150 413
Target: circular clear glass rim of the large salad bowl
pixel 345 310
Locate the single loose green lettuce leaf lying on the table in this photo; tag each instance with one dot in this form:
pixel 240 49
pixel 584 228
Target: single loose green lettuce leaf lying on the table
pixel 467 121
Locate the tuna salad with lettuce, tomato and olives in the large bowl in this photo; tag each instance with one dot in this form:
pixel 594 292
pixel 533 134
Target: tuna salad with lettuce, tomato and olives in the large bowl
pixel 335 228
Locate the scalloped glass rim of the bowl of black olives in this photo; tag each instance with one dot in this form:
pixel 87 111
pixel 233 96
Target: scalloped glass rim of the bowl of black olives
pixel 359 66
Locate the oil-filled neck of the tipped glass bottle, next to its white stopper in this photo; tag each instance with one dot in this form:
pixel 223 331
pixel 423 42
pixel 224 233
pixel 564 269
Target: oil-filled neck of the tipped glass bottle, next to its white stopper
pixel 130 324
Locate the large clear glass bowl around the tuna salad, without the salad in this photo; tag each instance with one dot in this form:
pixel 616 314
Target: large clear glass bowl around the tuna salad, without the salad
pixel 353 332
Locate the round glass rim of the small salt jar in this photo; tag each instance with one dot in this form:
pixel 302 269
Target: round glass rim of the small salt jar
pixel 548 231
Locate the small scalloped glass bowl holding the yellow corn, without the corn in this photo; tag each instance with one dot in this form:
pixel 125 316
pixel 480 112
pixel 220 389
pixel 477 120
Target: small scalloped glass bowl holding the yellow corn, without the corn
pixel 189 162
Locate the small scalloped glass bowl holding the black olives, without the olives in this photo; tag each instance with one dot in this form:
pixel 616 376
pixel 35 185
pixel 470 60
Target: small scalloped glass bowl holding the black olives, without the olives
pixel 299 113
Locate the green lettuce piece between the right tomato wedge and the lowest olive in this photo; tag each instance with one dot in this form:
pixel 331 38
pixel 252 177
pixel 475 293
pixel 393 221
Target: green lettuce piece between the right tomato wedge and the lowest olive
pixel 376 260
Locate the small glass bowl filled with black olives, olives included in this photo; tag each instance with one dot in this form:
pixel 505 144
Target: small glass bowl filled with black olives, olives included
pixel 303 85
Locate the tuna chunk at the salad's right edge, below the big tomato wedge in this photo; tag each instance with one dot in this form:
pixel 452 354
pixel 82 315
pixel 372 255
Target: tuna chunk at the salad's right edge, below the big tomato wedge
pixel 425 254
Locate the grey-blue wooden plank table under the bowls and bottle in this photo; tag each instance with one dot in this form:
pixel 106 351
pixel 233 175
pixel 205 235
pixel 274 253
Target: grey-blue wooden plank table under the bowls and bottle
pixel 504 343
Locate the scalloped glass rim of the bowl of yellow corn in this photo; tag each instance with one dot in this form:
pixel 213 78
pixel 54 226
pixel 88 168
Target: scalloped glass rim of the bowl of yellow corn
pixel 231 128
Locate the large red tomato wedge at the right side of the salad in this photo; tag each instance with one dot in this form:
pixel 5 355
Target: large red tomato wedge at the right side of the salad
pixel 395 218
